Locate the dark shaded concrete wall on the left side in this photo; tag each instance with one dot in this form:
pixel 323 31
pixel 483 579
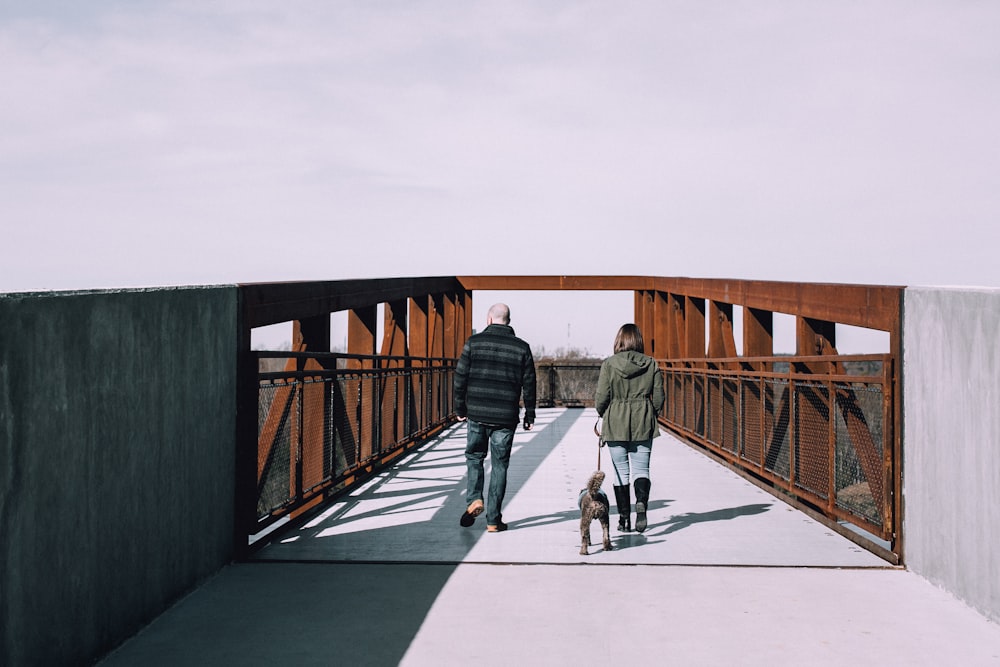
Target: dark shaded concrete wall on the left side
pixel 117 449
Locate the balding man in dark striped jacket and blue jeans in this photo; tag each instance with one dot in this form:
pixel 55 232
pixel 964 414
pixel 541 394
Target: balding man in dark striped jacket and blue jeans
pixel 495 369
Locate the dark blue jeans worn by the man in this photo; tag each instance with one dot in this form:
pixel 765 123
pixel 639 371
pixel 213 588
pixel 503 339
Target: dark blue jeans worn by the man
pixel 497 440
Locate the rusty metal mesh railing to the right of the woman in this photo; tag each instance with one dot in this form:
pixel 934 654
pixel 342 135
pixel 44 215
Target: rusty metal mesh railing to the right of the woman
pixel 817 430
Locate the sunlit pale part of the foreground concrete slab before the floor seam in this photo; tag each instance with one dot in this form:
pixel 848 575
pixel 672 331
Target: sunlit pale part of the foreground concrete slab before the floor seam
pixel 698 616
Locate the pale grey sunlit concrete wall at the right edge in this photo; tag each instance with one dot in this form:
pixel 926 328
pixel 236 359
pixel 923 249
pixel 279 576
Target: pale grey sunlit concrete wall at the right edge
pixel 951 441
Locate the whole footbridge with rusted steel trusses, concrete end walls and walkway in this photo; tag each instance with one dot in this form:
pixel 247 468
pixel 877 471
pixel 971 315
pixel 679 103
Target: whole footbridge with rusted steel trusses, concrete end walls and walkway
pixel 807 493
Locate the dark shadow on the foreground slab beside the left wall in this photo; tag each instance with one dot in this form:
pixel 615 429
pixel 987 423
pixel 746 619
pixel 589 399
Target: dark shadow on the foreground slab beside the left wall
pixel 302 614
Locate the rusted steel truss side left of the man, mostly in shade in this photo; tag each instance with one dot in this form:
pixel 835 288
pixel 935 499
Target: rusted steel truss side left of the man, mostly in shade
pixel 327 421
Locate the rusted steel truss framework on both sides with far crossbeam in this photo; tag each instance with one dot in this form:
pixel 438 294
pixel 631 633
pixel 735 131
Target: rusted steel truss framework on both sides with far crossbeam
pixel 748 409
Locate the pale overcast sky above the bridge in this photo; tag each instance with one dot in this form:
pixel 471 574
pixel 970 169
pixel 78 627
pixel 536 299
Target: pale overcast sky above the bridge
pixel 174 143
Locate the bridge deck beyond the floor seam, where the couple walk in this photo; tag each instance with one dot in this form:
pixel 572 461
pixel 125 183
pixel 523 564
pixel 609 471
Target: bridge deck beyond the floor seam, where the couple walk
pixel 700 513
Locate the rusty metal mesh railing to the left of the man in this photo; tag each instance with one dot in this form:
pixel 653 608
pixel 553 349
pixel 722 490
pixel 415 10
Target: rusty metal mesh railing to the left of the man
pixel 338 419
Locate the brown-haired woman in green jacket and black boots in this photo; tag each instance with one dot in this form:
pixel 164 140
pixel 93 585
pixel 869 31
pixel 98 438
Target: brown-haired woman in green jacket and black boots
pixel 629 396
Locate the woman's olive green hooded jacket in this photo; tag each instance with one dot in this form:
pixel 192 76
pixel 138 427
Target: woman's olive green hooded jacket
pixel 629 396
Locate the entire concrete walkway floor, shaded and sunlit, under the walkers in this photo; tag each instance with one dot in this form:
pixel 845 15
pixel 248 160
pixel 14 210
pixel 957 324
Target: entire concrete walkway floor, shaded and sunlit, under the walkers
pixel 724 575
